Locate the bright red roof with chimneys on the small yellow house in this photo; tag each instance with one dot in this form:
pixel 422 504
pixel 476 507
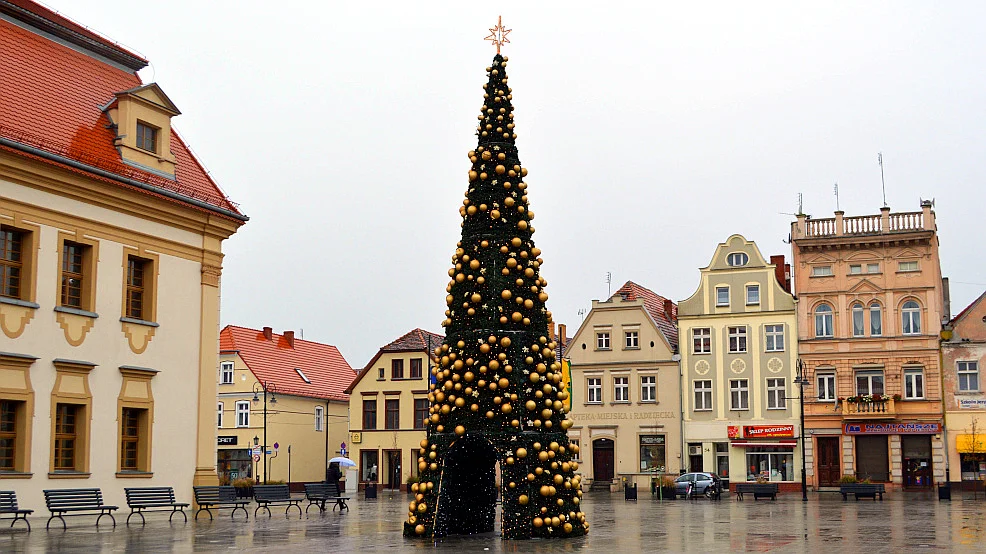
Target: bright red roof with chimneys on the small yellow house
pixel 275 361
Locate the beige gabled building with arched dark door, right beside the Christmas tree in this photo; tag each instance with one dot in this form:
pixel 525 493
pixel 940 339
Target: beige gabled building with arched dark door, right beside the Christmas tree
pixel 625 395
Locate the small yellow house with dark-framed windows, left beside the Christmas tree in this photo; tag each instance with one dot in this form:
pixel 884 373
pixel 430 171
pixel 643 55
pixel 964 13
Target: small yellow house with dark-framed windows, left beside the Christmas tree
pixel 389 405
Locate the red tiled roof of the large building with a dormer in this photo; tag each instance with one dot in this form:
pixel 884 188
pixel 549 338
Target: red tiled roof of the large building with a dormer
pixel 51 99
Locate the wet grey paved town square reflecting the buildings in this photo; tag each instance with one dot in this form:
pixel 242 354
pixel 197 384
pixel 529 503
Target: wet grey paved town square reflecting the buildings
pixel 903 522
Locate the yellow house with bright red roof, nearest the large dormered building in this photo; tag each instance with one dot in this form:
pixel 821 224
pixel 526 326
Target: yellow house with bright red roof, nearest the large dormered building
pixel 282 392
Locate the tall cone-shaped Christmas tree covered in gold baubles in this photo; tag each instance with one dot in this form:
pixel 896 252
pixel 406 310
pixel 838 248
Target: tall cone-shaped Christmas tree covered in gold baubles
pixel 496 392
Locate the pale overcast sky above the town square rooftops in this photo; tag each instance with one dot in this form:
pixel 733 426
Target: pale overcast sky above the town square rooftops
pixel 652 132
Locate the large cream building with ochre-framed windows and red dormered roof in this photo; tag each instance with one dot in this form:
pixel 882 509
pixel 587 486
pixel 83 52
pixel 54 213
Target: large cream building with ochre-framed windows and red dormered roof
pixel 110 261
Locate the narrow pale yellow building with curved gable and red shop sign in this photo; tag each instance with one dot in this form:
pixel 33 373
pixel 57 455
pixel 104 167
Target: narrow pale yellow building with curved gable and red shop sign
pixel 740 408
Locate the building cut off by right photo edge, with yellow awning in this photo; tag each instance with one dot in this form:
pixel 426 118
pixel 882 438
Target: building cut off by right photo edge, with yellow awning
pixel 963 359
